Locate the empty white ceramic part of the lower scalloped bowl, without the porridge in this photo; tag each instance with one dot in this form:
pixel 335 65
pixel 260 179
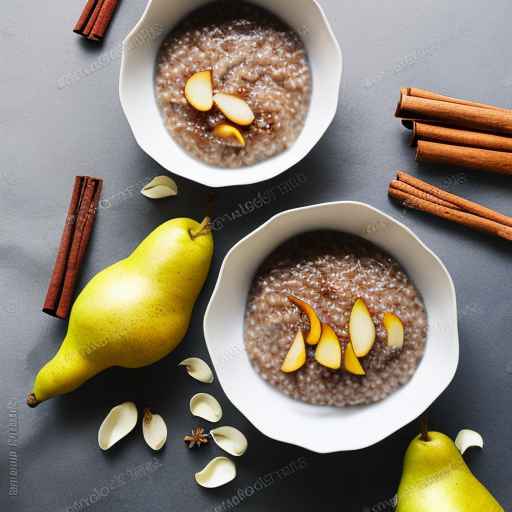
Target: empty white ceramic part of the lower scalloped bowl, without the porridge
pixel 320 428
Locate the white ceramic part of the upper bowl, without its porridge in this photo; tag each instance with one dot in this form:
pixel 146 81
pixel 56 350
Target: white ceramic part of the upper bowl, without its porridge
pixel 136 89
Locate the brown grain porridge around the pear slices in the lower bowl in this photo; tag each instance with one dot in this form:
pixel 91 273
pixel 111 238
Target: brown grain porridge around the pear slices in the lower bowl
pixel 330 270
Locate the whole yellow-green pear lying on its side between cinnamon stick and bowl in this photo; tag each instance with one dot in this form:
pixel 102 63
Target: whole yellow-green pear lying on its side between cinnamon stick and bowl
pixel 134 312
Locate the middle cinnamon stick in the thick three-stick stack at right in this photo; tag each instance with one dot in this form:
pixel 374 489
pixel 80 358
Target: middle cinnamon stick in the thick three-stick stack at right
pixel 458 137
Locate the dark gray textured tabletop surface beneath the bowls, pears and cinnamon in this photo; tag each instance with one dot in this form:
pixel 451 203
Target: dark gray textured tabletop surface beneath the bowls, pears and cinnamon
pixel 50 134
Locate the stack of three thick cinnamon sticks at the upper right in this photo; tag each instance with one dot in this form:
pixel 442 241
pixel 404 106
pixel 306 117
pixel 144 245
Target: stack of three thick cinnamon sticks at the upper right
pixel 457 132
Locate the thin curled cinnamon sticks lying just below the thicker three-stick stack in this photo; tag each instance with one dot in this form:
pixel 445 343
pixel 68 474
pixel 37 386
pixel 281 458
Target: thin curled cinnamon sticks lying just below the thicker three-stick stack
pixel 414 193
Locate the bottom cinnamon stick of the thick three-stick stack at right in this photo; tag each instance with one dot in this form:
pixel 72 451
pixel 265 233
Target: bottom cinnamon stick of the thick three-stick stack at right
pixel 474 158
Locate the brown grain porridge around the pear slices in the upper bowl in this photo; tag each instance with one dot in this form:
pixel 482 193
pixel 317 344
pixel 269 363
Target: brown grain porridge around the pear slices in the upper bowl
pixel 252 55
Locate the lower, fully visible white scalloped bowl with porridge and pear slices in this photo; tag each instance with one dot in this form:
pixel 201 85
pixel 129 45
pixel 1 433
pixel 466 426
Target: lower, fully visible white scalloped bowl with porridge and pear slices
pixel 332 326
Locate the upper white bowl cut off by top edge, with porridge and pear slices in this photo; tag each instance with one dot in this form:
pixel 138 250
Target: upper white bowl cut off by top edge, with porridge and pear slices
pixel 229 92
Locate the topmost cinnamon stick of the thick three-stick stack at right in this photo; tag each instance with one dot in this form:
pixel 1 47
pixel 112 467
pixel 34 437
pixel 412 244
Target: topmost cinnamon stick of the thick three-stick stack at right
pixel 464 116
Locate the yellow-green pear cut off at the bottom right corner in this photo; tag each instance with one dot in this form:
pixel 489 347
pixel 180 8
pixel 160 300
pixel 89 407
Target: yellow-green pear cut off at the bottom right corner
pixel 435 478
